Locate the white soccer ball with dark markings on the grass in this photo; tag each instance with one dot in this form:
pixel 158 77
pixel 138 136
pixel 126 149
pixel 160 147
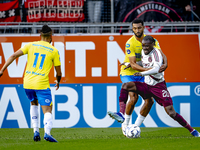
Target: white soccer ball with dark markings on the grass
pixel 132 131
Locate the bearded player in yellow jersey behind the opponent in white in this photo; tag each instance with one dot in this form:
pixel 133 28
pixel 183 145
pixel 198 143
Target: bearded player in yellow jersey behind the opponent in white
pixel 131 65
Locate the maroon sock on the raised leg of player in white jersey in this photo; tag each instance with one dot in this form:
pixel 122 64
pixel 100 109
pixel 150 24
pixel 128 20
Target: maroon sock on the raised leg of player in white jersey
pixel 122 100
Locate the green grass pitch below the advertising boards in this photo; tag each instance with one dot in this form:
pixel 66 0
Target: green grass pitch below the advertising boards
pixel 100 139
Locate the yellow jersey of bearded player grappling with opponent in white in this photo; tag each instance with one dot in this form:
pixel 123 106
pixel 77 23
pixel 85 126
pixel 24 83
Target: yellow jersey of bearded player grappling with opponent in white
pixel 133 48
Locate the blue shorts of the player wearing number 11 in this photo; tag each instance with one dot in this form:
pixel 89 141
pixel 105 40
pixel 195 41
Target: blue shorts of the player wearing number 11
pixel 43 96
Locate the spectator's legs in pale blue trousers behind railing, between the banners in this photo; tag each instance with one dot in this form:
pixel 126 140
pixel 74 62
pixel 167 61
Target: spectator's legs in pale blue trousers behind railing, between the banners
pixel 95 8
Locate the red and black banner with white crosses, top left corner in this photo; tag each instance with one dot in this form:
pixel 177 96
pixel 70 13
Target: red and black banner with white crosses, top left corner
pixel 9 12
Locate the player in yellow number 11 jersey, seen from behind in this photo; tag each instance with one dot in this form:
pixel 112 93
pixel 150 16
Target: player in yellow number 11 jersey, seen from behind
pixel 41 55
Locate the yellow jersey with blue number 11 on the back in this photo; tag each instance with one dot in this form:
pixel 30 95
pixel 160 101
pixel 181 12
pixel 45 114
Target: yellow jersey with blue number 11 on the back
pixel 41 56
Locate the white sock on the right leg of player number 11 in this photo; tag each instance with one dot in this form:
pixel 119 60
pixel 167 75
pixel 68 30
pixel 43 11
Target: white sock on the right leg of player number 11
pixel 48 122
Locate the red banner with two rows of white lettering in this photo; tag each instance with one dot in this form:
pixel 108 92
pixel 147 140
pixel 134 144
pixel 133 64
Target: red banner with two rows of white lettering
pixel 54 10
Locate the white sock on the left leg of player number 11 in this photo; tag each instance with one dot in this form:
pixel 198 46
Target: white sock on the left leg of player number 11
pixel 34 117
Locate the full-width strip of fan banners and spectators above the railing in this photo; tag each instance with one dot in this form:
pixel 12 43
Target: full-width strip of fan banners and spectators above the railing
pixel 97 11
